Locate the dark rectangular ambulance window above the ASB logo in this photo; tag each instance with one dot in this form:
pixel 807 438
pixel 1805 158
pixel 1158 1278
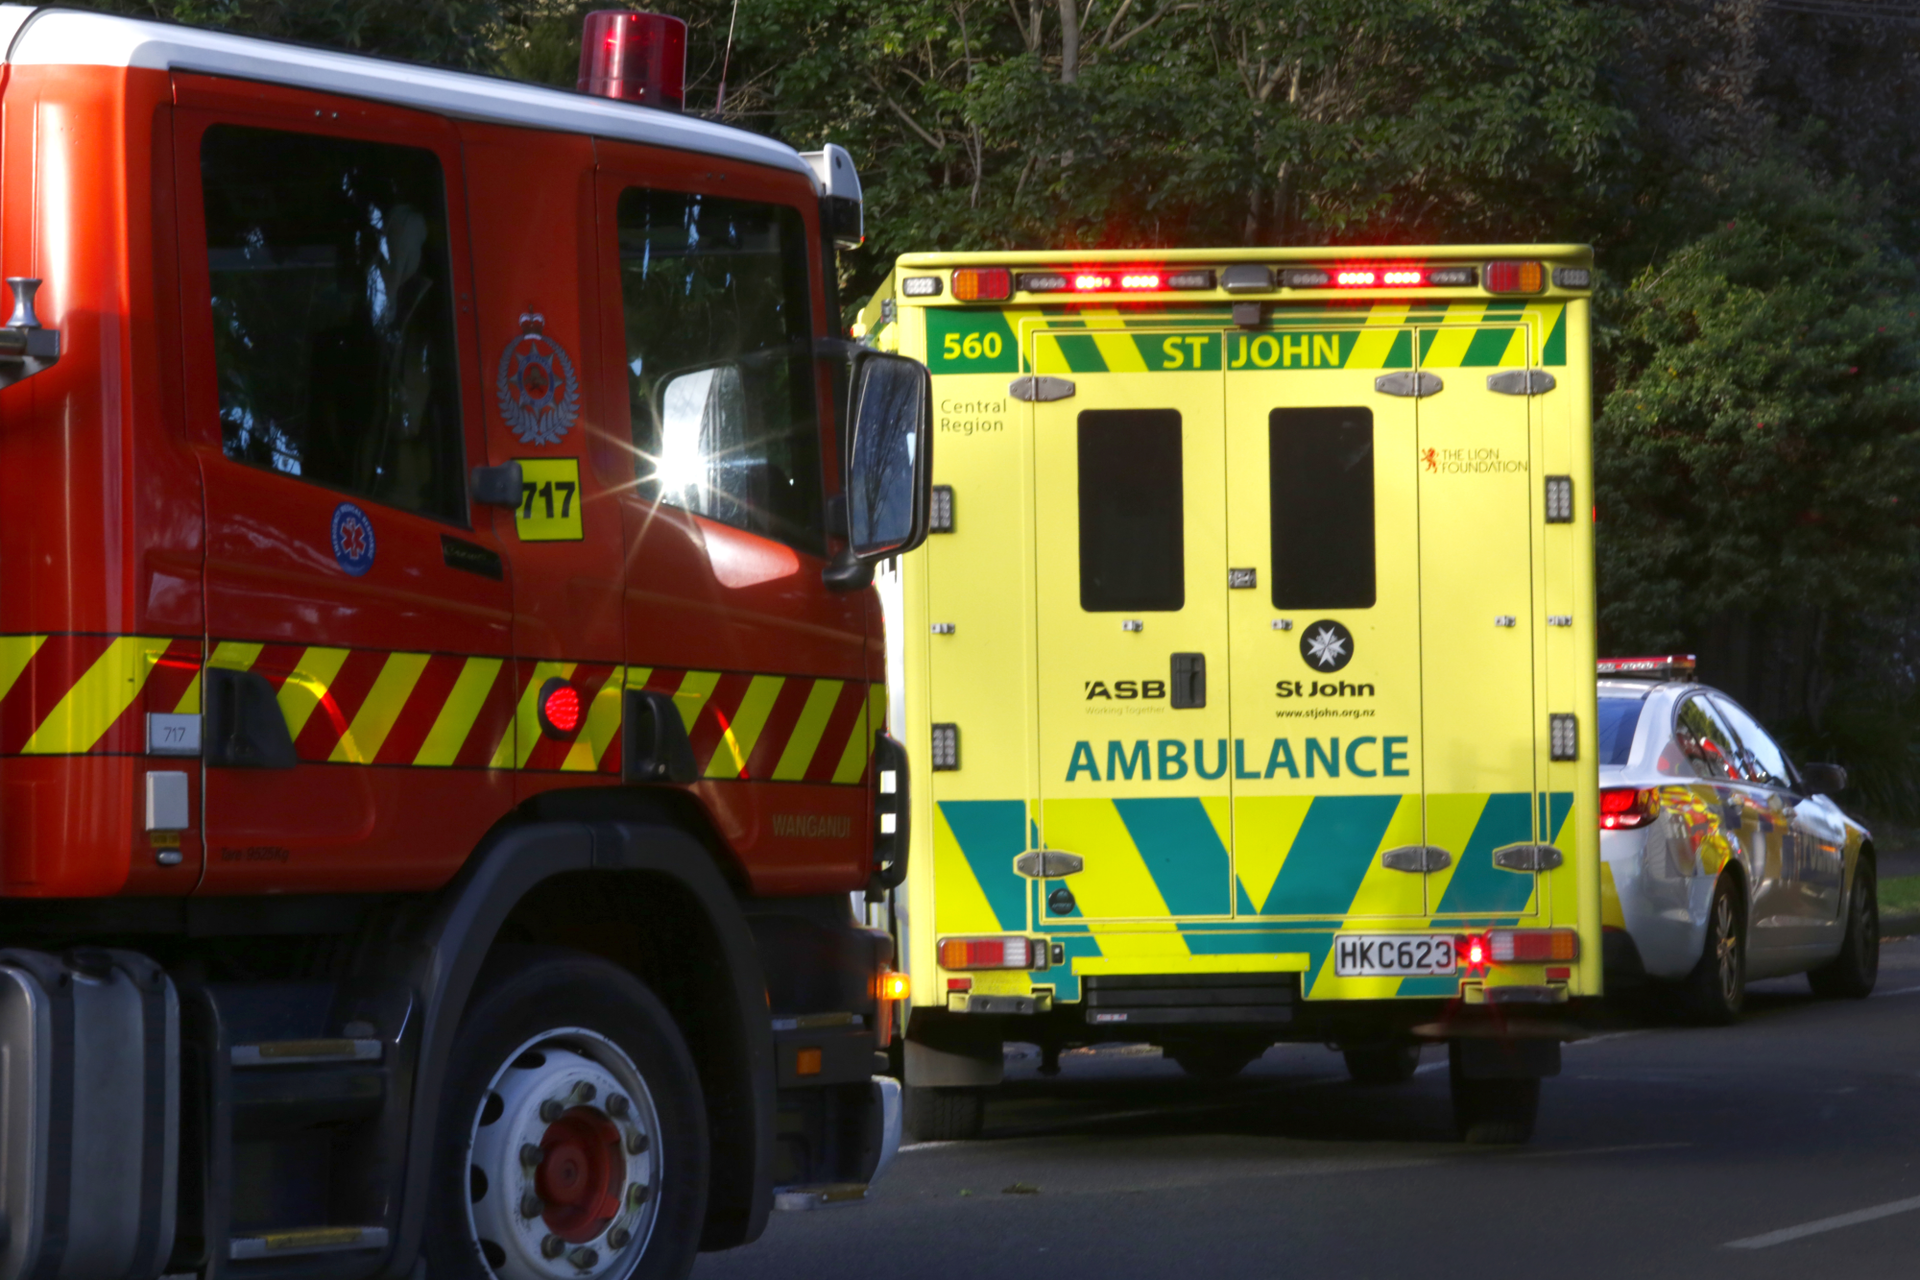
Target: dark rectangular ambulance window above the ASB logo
pixel 1132 511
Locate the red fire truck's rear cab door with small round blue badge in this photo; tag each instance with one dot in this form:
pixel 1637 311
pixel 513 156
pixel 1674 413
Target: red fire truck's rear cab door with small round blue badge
pixel 352 592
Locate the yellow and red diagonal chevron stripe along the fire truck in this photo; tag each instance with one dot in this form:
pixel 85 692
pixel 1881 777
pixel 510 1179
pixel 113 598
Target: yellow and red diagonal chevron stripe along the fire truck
pixel 89 696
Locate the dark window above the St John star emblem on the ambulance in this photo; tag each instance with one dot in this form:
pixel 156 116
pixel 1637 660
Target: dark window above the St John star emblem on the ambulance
pixel 1322 498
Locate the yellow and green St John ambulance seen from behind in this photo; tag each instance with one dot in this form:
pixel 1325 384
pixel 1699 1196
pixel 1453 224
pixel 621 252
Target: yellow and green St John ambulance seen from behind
pixel 1251 663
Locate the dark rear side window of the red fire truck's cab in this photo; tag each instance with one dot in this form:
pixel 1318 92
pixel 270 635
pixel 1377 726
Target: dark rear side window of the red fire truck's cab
pixel 333 314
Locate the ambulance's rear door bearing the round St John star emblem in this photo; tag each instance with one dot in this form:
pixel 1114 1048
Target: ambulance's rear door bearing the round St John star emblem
pixel 1326 623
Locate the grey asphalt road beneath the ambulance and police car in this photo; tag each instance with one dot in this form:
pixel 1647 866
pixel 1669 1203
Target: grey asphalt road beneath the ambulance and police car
pixel 1785 1147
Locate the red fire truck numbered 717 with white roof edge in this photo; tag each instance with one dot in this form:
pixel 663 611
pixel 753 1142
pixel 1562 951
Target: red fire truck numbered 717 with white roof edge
pixel 441 690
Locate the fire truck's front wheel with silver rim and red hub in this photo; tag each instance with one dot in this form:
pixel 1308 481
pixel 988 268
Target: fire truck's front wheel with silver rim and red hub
pixel 573 1133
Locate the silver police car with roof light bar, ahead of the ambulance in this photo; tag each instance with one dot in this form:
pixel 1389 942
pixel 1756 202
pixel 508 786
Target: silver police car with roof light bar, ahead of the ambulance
pixel 1721 861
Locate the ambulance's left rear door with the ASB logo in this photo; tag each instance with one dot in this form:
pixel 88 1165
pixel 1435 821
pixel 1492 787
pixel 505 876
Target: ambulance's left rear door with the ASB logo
pixel 1130 546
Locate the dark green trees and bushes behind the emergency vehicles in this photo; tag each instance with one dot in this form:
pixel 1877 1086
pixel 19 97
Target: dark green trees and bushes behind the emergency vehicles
pixel 1748 172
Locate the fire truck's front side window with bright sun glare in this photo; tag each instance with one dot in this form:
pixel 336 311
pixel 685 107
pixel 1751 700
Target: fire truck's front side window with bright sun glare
pixel 721 366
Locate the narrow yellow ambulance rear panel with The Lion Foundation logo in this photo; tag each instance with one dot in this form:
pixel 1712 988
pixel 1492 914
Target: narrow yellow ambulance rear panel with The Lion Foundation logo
pixel 1479 628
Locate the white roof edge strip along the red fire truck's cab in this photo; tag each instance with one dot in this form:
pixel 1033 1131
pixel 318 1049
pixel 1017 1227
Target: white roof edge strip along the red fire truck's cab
pixel 72 37
